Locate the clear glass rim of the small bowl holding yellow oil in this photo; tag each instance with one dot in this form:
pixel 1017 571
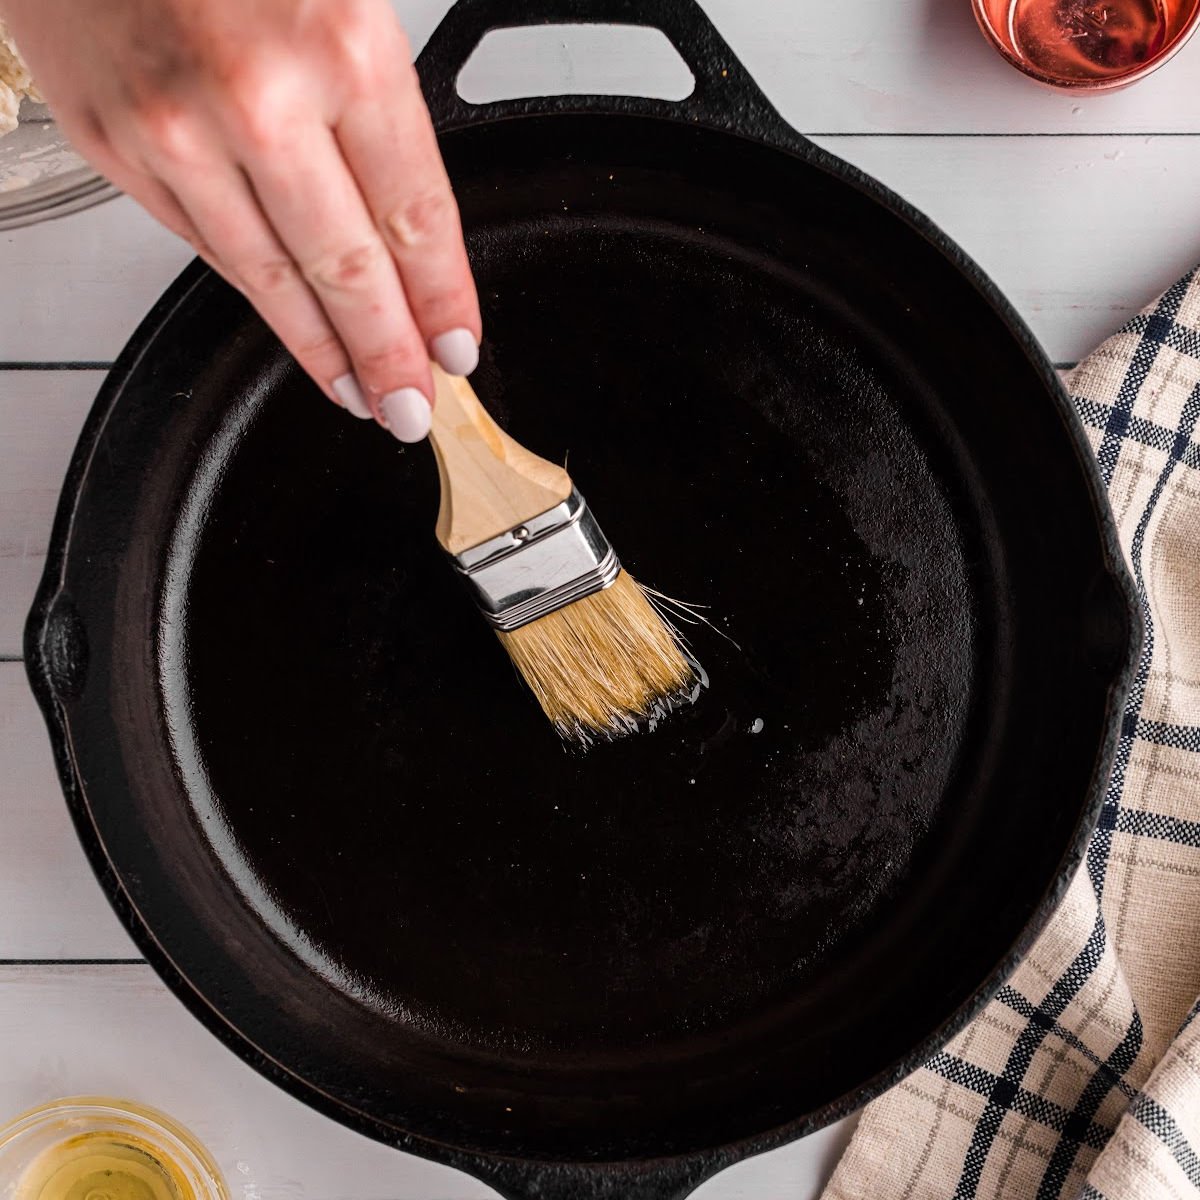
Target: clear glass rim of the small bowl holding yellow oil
pixel 75 1120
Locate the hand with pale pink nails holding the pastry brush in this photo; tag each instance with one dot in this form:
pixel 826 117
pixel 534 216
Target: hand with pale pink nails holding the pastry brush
pixel 290 143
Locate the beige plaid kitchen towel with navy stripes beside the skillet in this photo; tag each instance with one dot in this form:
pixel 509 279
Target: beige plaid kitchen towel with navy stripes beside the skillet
pixel 1082 1079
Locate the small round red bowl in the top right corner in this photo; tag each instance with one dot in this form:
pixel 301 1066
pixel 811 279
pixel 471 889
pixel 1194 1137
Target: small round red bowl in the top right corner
pixel 1088 45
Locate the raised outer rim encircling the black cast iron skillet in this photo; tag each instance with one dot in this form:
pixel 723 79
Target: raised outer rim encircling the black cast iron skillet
pixel 49 655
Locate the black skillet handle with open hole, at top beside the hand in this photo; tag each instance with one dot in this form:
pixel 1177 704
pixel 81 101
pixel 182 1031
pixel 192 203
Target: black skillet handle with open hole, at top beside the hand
pixel 725 95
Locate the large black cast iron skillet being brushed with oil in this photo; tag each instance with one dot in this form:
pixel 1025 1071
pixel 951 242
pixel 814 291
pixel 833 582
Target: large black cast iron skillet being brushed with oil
pixel 335 824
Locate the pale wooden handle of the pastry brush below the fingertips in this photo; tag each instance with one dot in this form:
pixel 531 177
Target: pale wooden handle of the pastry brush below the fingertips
pixel 490 484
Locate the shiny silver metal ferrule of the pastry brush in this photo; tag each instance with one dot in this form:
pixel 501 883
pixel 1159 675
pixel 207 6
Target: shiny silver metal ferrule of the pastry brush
pixel 551 561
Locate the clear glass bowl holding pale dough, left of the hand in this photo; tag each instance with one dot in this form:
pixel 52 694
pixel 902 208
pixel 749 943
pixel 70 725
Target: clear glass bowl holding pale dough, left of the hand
pixel 41 177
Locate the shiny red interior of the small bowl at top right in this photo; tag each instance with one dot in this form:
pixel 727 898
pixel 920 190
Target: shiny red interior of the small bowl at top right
pixel 1083 40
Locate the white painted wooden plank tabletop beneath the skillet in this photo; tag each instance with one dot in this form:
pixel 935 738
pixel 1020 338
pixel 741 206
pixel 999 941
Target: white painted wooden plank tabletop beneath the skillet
pixel 1081 209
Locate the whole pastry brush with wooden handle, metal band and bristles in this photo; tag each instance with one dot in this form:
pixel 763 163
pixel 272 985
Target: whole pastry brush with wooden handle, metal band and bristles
pixel 585 637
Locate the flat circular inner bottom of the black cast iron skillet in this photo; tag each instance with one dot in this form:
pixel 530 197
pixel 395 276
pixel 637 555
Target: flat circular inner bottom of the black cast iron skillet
pixel 398 809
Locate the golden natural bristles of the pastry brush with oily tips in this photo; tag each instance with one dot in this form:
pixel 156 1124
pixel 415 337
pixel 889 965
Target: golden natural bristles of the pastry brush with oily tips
pixel 604 665
